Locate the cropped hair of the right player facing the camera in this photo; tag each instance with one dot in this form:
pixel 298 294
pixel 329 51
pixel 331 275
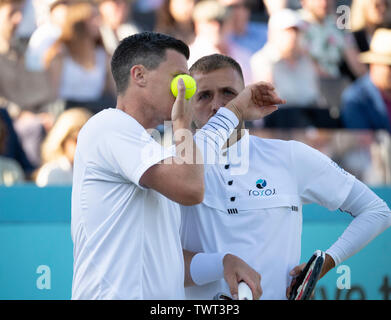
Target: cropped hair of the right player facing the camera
pixel 215 62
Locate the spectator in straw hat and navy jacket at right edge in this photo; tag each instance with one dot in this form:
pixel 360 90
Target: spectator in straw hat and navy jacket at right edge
pixel 366 104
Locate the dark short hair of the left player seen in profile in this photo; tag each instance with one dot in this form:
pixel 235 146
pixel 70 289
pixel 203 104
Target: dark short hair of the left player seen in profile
pixel 147 49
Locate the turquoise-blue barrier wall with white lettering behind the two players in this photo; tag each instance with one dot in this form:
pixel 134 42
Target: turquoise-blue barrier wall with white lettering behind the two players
pixel 36 247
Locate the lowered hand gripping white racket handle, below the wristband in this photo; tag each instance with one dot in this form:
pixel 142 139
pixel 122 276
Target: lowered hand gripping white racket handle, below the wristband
pixel 235 271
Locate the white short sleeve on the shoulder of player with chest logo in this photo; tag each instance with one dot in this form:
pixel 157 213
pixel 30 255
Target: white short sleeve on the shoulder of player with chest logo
pixel 319 179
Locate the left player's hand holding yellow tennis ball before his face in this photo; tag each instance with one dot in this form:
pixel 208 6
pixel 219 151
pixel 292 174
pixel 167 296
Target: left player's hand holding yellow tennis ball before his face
pixel 181 111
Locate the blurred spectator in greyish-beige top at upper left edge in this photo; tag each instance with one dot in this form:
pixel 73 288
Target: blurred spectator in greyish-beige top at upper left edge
pixel 27 91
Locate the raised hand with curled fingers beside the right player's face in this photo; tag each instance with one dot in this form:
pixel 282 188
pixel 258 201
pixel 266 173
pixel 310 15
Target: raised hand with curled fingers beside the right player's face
pixel 255 101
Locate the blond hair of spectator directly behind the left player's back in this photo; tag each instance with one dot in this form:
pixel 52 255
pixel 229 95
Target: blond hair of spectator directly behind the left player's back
pixel 68 124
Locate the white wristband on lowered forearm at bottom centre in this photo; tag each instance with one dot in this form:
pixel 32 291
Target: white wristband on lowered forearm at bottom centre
pixel 207 267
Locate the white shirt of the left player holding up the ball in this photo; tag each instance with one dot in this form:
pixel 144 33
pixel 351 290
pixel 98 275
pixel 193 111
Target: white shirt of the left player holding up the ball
pixel 126 238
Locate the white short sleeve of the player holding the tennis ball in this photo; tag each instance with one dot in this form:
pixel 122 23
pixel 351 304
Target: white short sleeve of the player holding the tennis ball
pixel 129 151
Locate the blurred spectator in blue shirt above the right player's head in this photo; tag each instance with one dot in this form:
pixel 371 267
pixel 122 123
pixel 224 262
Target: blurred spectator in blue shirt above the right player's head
pixel 240 30
